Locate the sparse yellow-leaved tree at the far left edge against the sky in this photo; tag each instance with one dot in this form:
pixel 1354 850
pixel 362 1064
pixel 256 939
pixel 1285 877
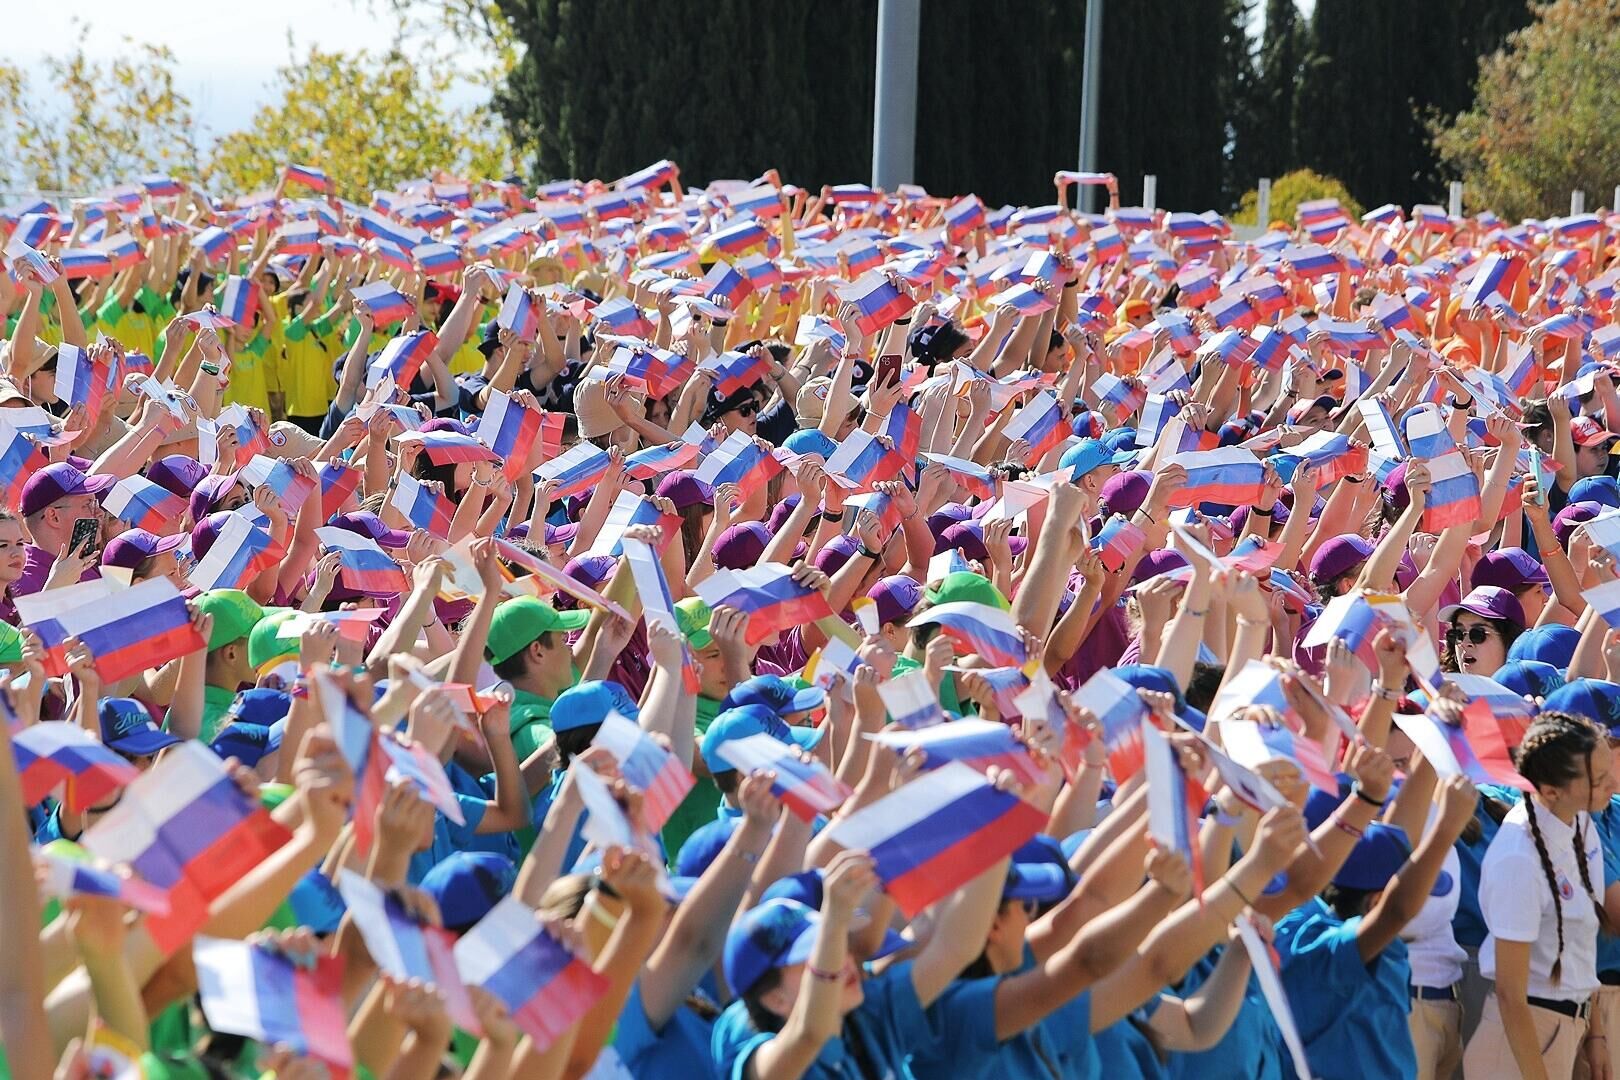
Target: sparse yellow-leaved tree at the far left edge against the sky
pixel 103 122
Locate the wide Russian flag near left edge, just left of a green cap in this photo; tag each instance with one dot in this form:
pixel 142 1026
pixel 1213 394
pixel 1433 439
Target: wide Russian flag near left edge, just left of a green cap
pixel 129 629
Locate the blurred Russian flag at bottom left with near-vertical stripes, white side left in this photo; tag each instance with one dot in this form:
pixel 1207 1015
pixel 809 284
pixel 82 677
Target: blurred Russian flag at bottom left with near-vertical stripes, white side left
pixel 275 1000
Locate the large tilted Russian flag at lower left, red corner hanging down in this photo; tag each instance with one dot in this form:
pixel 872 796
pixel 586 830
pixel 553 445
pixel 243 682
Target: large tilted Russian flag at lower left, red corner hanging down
pixel 185 828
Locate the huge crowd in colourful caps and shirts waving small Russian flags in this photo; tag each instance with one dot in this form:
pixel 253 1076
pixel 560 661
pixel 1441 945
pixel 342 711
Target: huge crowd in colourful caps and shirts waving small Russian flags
pixel 644 631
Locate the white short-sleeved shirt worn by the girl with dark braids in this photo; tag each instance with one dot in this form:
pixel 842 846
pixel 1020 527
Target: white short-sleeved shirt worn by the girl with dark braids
pixel 1519 904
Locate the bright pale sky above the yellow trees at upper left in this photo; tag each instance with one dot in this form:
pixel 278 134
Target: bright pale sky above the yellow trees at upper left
pixel 228 54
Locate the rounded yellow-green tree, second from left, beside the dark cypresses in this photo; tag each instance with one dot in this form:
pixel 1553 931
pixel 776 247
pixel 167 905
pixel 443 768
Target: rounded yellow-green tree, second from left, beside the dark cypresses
pixel 370 121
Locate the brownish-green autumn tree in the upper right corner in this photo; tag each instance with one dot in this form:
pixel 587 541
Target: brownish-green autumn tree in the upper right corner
pixel 1548 116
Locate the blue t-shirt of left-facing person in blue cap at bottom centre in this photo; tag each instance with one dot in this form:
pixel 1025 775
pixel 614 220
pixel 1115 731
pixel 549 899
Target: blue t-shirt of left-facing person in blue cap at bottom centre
pixel 876 1040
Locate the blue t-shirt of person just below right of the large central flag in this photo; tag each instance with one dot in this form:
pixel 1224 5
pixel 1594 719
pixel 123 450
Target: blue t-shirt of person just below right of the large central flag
pixel 965 1037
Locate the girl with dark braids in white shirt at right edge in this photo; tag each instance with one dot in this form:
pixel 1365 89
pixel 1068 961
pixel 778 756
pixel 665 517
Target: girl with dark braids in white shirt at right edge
pixel 1537 891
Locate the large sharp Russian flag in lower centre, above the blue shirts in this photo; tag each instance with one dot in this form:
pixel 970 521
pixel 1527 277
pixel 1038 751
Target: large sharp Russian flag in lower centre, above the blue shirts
pixel 936 835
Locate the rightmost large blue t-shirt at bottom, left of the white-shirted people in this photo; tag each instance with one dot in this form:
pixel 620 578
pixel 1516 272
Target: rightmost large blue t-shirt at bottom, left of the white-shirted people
pixel 1352 1016
